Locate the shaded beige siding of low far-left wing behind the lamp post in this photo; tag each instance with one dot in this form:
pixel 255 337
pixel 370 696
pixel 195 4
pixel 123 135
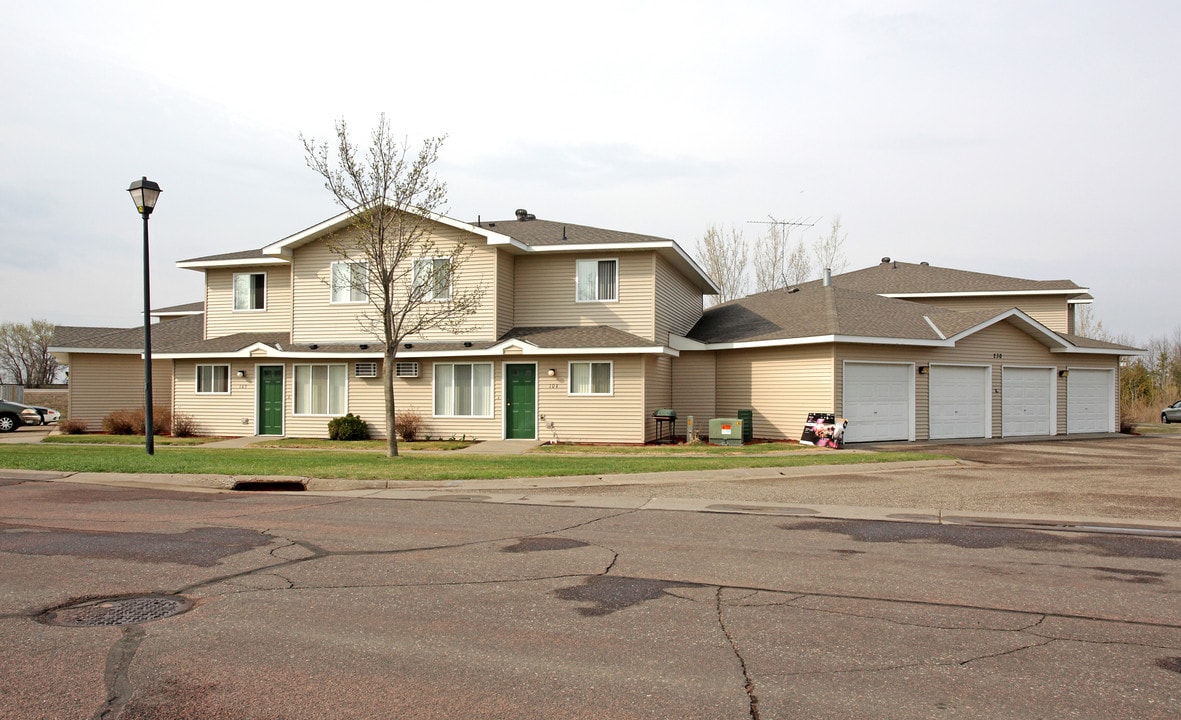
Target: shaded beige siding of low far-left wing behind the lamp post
pixel 101 384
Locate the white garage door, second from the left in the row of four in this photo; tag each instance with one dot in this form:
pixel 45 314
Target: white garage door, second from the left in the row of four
pixel 958 402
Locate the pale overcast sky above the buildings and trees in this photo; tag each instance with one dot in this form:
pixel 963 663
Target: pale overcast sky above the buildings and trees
pixel 1026 139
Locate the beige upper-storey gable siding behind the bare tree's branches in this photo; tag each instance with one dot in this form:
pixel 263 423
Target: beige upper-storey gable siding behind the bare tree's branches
pixel 316 319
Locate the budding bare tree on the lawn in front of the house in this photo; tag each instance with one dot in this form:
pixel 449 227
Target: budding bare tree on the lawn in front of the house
pixel 392 258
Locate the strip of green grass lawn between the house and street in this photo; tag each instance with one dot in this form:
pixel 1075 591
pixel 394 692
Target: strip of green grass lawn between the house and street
pixel 410 467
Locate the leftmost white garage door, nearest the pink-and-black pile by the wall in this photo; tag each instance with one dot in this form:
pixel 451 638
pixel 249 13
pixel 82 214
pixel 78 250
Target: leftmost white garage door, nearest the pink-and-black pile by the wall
pixel 879 402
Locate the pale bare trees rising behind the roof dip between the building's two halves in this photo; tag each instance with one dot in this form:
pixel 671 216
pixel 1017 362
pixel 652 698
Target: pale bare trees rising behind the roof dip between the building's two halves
pixel 727 257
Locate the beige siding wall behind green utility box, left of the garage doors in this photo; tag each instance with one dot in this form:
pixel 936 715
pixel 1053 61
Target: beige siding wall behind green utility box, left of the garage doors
pixel 782 385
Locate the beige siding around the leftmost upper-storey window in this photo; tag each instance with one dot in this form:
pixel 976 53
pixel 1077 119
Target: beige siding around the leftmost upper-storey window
pixel 221 318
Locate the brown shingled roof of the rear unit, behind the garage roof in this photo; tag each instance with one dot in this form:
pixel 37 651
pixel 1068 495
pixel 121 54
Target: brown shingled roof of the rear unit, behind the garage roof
pixel 898 279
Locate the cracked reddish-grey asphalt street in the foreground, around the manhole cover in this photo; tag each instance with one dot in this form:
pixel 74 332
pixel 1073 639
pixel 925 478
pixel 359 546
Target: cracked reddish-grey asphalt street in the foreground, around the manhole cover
pixel 322 607
